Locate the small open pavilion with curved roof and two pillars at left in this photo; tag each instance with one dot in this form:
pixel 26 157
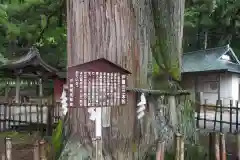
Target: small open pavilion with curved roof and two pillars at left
pixel 29 66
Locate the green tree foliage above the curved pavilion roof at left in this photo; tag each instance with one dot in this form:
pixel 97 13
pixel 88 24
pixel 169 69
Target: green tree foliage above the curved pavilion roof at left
pixel 34 22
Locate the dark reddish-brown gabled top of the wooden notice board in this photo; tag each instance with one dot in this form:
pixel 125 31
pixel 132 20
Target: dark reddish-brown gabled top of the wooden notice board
pixel 101 65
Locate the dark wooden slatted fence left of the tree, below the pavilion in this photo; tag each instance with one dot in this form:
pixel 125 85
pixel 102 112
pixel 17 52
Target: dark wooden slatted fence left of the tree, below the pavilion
pixel 31 117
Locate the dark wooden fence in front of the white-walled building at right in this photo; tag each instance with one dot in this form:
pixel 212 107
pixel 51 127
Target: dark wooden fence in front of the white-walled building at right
pixel 218 118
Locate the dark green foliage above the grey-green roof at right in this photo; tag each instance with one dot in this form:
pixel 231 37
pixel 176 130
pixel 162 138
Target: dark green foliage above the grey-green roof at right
pixel 219 18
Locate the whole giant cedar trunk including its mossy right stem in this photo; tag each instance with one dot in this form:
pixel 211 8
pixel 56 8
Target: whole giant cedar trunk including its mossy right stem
pixel 120 31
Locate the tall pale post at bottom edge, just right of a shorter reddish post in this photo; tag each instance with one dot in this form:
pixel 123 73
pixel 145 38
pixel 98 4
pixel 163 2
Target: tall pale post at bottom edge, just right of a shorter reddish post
pixel 179 141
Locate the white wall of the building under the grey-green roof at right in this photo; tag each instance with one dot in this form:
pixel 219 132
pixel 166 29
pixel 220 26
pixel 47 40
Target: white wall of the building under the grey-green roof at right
pixel 228 86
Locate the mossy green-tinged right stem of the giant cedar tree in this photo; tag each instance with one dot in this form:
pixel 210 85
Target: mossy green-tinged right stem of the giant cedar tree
pixel 167 45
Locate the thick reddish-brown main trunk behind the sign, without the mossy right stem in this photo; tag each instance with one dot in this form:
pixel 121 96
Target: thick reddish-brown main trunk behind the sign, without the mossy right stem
pixel 118 30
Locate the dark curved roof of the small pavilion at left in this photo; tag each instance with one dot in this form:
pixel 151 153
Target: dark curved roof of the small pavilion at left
pixel 29 64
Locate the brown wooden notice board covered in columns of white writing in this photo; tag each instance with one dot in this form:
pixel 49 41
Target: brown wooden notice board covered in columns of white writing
pixel 89 87
